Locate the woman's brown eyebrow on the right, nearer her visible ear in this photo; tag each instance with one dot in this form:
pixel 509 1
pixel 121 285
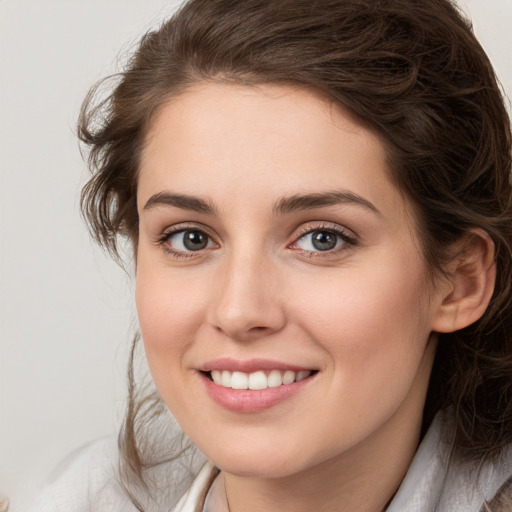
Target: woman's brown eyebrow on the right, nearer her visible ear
pixel 317 200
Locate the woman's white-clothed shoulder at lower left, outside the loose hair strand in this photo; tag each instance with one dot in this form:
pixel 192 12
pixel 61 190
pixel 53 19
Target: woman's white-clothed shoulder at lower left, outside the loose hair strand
pixel 86 480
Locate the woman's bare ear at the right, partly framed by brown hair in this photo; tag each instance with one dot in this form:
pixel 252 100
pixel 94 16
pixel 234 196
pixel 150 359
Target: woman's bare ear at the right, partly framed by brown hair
pixel 469 285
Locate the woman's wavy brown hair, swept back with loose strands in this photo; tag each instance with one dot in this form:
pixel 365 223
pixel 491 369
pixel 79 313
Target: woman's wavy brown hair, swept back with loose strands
pixel 411 70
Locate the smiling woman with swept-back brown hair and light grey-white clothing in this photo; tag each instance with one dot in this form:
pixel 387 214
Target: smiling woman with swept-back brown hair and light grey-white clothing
pixel 319 202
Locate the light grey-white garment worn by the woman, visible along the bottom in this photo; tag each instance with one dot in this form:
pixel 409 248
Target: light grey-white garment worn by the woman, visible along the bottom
pixel 435 482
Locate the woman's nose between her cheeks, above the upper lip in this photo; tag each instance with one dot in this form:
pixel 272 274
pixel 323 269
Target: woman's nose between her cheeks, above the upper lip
pixel 247 303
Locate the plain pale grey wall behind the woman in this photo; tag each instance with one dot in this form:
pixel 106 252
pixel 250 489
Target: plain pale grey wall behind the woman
pixel 66 311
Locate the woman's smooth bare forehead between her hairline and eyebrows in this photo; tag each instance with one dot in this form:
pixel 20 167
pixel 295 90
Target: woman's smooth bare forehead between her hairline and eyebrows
pixel 234 142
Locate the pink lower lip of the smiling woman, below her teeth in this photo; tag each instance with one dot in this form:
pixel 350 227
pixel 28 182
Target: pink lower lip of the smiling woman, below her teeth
pixel 247 400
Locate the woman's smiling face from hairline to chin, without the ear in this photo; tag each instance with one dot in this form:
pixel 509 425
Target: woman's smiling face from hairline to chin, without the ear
pixel 275 253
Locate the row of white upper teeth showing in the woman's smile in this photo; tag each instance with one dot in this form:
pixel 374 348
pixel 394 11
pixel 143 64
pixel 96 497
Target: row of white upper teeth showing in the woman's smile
pixel 257 380
